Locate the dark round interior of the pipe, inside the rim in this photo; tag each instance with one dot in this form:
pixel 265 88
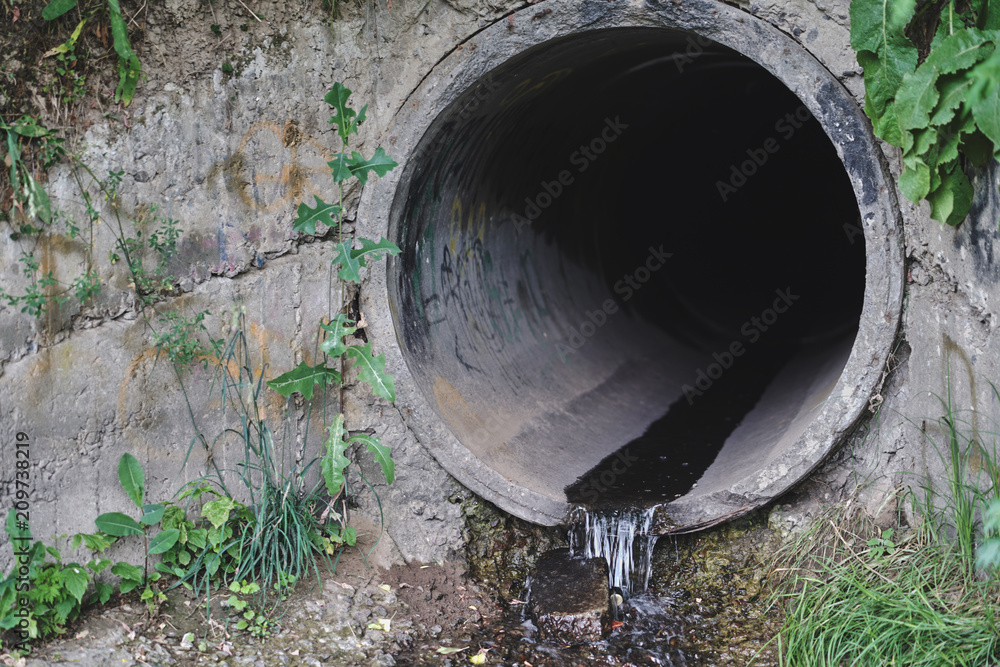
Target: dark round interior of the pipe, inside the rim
pixel 619 261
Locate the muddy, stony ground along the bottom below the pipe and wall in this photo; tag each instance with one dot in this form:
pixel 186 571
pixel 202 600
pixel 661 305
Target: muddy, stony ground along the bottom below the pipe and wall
pixel 706 605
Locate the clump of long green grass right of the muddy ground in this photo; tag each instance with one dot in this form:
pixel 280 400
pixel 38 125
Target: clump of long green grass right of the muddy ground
pixel 859 595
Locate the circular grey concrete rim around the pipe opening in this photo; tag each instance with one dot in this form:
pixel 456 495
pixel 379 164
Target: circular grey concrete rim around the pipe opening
pixel 848 130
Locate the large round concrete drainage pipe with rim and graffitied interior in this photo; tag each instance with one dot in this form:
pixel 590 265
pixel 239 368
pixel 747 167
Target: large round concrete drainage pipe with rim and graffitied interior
pixel 650 257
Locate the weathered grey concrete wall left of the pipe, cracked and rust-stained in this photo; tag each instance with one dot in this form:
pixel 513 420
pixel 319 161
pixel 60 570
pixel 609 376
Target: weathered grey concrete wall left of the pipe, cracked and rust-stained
pixel 229 157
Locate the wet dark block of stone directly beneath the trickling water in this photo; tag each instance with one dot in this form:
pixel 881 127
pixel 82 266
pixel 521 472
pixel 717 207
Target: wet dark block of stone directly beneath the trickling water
pixel 569 596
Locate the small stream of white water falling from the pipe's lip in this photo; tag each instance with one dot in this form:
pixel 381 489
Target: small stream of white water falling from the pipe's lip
pixel 623 539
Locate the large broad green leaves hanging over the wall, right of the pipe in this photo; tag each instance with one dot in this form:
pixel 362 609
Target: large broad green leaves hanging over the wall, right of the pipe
pixel 932 88
